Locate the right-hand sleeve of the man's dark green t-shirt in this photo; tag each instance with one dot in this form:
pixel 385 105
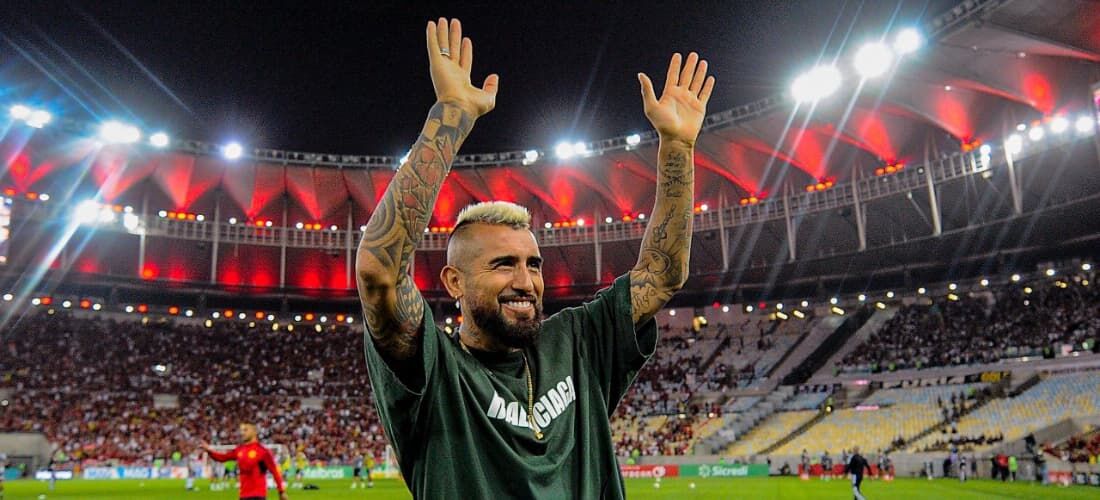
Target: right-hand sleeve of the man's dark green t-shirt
pixel 615 349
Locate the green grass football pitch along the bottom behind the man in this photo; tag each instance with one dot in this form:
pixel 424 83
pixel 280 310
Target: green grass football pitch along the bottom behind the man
pixel 674 488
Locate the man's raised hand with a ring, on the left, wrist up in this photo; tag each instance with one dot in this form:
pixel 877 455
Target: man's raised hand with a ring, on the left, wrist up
pixel 452 58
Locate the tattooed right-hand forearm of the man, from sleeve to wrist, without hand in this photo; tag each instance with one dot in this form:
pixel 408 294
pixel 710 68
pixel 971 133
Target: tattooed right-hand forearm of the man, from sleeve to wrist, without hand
pixel 666 248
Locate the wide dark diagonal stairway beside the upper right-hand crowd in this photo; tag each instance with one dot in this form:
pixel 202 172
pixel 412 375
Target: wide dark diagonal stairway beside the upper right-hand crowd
pixel 830 336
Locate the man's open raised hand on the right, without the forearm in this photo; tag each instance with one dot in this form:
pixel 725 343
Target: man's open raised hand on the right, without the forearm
pixel 679 113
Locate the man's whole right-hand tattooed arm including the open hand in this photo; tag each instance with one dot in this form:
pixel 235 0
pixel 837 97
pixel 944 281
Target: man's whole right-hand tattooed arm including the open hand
pixel 666 248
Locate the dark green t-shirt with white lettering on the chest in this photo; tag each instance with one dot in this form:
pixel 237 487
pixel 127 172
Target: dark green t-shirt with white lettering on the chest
pixel 464 434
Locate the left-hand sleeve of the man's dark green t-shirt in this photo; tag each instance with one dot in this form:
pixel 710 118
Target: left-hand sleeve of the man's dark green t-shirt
pixel 400 387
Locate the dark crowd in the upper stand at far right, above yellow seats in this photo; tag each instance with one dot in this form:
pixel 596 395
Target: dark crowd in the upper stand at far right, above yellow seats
pixel 985 327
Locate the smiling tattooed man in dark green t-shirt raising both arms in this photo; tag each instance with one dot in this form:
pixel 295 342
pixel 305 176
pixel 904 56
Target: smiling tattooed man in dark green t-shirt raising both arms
pixel 515 405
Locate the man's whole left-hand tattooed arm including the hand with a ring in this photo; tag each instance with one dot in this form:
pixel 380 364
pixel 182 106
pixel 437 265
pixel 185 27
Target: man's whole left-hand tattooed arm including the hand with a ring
pixel 392 305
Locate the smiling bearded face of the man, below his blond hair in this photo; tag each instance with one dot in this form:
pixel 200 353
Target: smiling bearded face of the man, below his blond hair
pixel 496 272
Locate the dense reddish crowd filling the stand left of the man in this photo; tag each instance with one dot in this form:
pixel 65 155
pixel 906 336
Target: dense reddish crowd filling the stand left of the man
pixel 103 390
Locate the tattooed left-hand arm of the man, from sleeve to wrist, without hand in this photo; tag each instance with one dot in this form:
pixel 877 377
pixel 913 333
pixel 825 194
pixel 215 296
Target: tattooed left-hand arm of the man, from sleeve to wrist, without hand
pixel 392 305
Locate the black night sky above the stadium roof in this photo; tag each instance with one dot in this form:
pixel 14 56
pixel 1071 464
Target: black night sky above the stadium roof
pixel 354 79
